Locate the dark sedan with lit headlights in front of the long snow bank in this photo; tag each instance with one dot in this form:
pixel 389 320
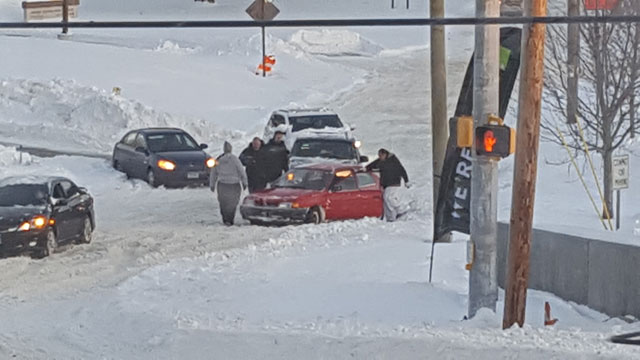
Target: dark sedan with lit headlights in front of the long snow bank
pixel 163 156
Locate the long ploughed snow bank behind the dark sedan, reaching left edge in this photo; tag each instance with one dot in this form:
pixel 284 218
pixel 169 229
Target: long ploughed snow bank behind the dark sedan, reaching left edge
pixel 63 115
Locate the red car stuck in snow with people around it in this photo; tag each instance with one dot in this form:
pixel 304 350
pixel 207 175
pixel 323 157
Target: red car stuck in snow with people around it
pixel 316 193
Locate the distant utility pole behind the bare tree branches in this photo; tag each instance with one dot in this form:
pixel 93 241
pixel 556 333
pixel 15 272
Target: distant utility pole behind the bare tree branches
pixel 573 62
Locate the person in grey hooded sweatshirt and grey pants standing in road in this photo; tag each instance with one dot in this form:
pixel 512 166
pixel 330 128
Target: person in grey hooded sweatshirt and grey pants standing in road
pixel 229 178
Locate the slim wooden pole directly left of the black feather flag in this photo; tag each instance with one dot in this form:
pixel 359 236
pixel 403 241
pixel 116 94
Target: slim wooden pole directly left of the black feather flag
pixel 439 122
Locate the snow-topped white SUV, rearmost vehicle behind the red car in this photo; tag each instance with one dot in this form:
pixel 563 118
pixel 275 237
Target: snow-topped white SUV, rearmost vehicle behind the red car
pixel 307 123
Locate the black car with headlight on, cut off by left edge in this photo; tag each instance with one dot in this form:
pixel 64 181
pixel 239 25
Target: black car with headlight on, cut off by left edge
pixel 39 213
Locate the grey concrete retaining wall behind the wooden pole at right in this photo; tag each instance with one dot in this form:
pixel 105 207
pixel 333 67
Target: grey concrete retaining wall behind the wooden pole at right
pixel 602 275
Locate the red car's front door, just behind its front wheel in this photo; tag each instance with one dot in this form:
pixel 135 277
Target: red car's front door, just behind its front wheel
pixel 342 198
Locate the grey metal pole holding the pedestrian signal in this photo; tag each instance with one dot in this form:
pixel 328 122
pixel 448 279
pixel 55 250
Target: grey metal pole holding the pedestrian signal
pixel 483 279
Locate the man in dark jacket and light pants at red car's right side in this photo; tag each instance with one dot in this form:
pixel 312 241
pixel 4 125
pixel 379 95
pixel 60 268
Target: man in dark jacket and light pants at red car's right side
pixel 391 175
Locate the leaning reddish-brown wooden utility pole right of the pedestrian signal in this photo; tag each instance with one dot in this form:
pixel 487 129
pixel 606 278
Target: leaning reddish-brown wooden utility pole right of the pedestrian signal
pixel 525 171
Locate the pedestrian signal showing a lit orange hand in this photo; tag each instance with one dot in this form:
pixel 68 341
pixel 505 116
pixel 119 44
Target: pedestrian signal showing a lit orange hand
pixel 495 140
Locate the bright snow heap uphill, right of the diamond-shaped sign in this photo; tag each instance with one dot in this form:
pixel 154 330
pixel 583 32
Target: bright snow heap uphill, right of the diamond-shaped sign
pixel 334 43
